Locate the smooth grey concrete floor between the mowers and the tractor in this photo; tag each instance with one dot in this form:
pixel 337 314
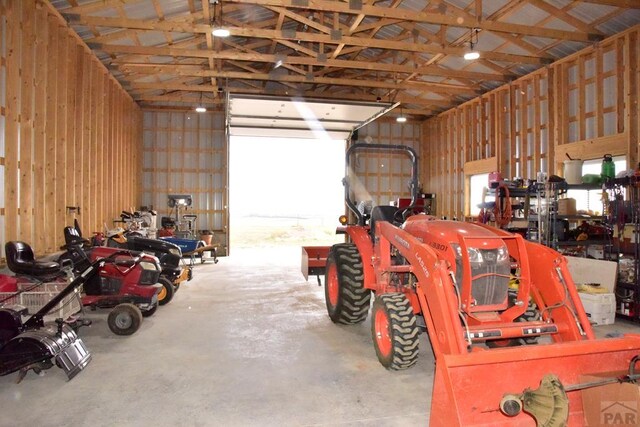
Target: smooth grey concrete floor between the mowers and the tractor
pixel 246 343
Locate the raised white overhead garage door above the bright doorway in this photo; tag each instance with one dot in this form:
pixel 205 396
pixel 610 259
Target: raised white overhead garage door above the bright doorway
pixel 291 117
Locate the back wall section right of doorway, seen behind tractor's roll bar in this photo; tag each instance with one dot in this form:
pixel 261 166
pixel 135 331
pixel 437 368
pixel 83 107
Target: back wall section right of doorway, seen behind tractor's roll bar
pixel 385 176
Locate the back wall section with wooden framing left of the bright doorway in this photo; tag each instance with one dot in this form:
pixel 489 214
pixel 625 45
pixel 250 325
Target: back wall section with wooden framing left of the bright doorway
pixel 186 153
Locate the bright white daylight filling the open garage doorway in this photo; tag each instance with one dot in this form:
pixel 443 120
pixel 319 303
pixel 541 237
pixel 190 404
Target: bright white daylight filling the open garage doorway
pixel 285 191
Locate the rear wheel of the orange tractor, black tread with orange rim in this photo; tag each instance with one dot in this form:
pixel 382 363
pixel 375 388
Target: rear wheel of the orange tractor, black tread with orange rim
pixel 345 295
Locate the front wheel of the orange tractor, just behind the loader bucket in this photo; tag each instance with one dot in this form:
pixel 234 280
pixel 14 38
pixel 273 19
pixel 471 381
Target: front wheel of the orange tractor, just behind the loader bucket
pixel 395 332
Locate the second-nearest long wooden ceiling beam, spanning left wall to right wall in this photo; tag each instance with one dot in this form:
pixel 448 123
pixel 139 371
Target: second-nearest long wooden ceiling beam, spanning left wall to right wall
pixel 286 36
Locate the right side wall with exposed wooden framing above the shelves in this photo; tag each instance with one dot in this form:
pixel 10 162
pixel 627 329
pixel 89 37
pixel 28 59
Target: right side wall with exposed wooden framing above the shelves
pixel 584 106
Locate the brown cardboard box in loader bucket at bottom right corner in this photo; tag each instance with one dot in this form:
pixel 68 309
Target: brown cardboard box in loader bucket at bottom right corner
pixel 612 404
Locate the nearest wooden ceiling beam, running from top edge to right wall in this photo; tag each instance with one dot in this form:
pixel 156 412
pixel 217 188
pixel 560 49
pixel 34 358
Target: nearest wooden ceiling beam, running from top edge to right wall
pixel 426 17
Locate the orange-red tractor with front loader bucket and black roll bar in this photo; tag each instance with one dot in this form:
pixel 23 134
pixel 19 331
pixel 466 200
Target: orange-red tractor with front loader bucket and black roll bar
pixel 454 278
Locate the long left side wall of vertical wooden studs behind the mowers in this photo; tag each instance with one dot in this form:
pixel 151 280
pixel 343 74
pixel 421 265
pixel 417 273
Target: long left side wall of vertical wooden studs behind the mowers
pixel 69 134
